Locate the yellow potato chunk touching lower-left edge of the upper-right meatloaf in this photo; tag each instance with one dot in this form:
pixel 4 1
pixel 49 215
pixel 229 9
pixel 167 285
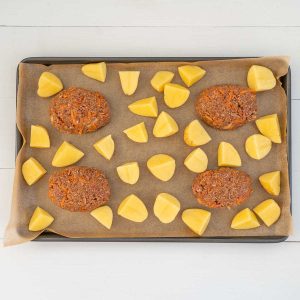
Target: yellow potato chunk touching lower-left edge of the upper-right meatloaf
pixel 195 134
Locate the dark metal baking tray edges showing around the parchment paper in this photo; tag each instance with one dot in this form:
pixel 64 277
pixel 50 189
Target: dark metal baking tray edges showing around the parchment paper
pixel 52 237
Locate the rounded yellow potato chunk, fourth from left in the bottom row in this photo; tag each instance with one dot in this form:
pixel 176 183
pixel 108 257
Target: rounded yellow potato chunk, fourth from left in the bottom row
pixel 166 207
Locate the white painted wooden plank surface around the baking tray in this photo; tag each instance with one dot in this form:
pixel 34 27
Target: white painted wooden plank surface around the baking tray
pixel 146 28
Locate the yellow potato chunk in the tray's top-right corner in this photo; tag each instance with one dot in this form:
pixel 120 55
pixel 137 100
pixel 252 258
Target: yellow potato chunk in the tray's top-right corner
pixel 260 78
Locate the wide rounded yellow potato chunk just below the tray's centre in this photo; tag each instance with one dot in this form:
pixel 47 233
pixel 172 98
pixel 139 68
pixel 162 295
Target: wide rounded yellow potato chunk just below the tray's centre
pixel 162 166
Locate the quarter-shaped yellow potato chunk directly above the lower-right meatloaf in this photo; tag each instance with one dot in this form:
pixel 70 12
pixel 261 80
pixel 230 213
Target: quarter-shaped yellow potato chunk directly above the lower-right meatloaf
pixel 228 156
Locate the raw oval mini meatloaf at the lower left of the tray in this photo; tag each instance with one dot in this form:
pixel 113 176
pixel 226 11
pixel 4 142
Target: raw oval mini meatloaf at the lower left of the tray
pixel 79 189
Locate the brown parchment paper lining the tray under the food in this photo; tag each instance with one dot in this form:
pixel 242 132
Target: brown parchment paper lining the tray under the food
pixel 32 109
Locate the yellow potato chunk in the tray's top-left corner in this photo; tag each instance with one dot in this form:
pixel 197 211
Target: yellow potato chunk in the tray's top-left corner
pixel 49 85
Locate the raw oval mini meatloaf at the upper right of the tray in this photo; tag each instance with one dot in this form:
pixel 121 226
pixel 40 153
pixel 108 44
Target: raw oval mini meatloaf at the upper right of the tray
pixel 226 106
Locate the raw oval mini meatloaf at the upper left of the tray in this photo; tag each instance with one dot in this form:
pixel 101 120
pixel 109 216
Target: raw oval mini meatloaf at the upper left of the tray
pixel 78 111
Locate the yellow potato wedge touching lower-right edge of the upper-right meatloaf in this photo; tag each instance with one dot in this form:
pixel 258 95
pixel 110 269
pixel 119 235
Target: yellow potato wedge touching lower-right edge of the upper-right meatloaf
pixel 269 127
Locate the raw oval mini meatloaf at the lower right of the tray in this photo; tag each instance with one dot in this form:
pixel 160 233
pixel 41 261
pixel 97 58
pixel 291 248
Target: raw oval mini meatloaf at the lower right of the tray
pixel 224 187
